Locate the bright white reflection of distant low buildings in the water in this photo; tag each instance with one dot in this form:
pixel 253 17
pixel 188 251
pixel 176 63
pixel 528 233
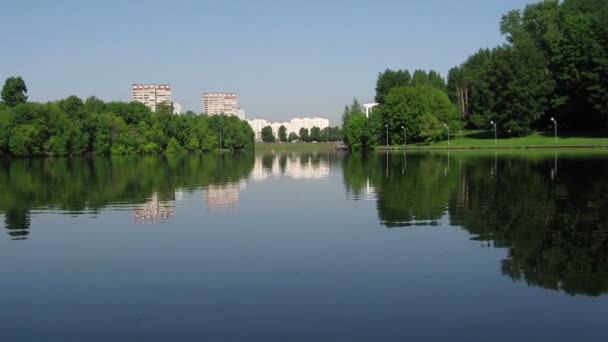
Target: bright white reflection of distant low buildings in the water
pixel 306 167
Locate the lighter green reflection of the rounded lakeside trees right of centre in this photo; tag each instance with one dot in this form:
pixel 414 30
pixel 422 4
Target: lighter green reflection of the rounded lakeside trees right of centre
pixel 410 190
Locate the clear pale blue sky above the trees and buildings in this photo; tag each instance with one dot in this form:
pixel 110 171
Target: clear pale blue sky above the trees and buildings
pixel 283 58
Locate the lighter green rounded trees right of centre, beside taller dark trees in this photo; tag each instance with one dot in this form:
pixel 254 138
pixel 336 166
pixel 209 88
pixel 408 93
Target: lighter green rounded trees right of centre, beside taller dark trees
pixel 412 108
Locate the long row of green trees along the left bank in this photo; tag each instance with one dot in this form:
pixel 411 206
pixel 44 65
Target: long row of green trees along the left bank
pixel 72 126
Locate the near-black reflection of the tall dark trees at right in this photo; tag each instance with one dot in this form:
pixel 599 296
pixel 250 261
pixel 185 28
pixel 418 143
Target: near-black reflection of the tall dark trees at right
pixel 556 231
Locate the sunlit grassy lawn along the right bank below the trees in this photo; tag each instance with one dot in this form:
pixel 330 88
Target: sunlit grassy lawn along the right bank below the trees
pixel 483 139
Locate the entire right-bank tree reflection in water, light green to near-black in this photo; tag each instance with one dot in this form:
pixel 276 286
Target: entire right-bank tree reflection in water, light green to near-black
pixel 555 226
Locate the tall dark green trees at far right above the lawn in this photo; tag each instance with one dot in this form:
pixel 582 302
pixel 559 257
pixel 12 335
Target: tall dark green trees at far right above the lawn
pixel 554 65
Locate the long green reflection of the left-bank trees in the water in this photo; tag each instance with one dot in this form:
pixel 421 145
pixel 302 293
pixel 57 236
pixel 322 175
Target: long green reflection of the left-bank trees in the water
pixel 89 184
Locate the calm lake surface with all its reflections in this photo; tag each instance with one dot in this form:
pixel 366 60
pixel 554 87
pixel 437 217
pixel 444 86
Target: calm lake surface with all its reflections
pixel 306 247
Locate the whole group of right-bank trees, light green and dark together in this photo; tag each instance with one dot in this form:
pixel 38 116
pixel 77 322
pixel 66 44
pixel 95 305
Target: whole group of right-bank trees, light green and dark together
pixel 554 64
